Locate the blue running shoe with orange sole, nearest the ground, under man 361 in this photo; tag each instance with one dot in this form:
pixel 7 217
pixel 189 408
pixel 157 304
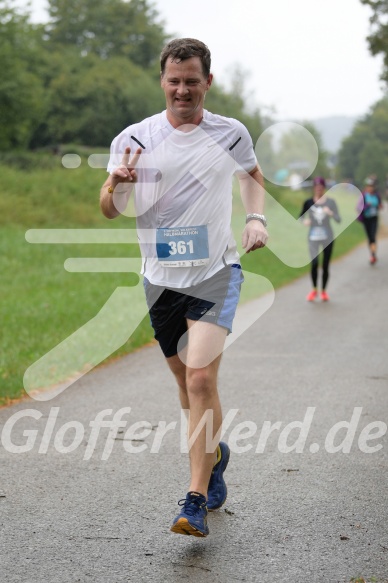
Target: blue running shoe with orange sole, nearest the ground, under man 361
pixel 193 516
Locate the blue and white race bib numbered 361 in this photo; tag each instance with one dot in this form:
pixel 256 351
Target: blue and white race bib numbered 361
pixel 182 246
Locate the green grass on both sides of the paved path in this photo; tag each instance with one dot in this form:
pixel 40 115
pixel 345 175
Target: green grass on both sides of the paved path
pixel 43 304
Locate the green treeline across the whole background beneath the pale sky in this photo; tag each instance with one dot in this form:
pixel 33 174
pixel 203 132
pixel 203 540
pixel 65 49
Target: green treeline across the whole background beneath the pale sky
pixel 93 68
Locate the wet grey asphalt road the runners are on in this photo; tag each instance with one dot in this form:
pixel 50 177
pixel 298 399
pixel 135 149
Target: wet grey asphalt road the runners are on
pixel 318 514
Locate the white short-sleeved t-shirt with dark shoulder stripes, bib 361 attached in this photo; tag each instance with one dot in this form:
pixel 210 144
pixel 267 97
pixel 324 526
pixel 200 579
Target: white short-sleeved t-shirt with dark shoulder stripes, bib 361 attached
pixel 183 197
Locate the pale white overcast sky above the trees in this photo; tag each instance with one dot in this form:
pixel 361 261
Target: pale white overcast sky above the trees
pixel 305 59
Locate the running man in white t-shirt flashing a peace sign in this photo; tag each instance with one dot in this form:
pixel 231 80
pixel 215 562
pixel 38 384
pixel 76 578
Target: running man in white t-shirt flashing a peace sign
pixel 179 164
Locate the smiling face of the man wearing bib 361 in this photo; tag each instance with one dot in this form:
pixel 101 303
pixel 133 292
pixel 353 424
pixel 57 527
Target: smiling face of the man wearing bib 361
pixel 185 86
